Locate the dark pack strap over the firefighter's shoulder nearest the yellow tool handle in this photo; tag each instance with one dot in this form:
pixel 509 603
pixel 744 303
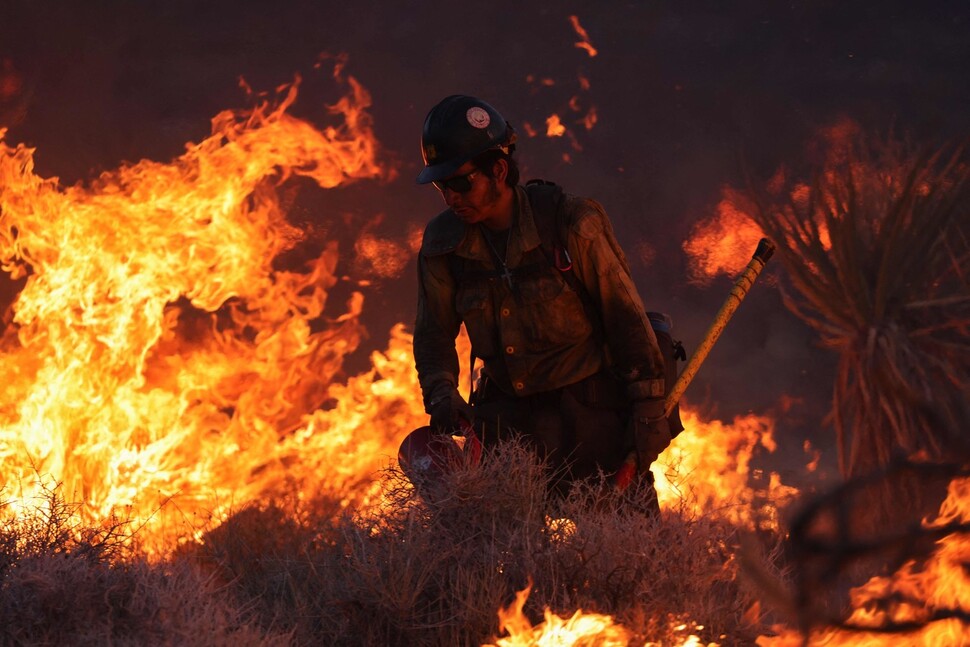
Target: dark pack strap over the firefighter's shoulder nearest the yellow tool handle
pixel 546 199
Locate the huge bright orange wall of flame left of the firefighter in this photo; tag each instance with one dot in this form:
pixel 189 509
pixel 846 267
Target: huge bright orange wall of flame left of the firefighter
pixel 156 356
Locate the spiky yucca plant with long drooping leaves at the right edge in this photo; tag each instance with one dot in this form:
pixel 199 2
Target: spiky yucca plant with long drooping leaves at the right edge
pixel 876 247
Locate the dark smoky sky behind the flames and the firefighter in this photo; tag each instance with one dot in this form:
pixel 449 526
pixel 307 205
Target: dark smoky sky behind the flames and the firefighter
pixel 683 91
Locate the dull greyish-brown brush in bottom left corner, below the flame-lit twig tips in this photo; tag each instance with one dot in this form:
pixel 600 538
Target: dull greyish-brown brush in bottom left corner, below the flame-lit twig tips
pixel 58 601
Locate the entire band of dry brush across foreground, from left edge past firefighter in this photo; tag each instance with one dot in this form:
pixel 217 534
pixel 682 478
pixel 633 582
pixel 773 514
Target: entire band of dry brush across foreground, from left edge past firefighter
pixel 417 573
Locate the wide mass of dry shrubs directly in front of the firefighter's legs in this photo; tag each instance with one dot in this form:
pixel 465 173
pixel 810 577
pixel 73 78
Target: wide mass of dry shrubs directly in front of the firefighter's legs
pixel 435 570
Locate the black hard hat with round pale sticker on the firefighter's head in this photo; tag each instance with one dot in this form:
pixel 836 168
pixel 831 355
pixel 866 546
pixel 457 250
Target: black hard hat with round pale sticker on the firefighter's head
pixel 458 129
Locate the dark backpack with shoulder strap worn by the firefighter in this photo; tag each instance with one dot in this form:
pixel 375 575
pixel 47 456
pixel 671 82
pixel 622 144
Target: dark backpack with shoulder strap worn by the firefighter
pixel 546 200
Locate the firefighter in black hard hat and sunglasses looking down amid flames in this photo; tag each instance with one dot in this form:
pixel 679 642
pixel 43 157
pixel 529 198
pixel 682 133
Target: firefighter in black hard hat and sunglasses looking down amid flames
pixel 569 362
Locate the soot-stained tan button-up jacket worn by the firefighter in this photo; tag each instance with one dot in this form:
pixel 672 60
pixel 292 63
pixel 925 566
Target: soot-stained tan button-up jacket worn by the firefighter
pixel 535 336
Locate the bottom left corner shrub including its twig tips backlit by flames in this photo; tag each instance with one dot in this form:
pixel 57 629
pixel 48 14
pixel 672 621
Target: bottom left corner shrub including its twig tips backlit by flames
pixel 63 583
